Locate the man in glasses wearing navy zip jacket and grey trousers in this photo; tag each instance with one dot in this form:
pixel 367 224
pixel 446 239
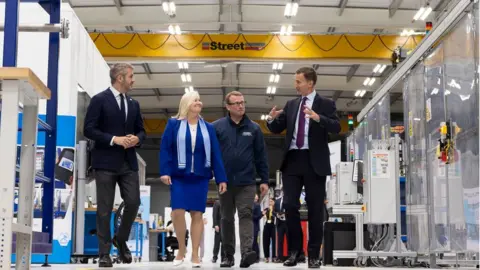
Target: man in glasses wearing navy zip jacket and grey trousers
pixel 244 153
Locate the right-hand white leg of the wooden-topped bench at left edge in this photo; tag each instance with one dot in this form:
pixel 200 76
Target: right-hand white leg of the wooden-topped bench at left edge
pixel 27 182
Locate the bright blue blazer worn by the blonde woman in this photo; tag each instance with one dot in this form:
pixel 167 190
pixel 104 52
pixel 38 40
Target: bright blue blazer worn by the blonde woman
pixel 169 159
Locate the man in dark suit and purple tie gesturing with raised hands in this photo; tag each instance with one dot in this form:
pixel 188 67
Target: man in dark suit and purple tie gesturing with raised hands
pixel 308 120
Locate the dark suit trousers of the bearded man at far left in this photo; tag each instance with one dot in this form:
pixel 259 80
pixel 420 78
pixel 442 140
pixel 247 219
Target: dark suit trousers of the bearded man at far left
pixel 106 182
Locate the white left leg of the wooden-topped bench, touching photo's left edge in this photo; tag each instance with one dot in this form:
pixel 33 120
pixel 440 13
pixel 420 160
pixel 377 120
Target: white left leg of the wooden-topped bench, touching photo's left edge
pixel 8 146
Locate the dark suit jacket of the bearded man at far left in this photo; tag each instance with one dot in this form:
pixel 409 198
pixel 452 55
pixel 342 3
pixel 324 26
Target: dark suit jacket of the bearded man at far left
pixel 102 122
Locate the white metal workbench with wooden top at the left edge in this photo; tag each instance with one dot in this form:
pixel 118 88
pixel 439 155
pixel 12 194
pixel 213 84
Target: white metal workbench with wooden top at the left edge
pixel 19 86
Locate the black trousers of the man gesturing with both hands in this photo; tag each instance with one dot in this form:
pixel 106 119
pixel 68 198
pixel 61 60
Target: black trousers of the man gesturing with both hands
pixel 298 173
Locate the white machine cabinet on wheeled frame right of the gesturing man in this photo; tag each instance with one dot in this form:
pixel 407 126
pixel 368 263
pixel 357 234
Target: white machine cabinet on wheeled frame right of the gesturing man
pixel 380 205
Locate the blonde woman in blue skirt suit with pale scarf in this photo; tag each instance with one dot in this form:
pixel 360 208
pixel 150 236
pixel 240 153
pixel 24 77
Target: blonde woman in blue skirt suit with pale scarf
pixel 189 156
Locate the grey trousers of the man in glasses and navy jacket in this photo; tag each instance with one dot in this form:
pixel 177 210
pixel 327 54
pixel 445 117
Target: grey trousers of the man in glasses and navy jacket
pixel 237 198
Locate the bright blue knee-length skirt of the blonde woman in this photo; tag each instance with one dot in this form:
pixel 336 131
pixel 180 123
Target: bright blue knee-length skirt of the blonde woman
pixel 189 193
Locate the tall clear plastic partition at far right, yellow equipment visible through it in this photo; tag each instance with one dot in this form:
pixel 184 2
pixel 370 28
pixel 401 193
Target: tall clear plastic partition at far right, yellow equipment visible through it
pixel 441 116
